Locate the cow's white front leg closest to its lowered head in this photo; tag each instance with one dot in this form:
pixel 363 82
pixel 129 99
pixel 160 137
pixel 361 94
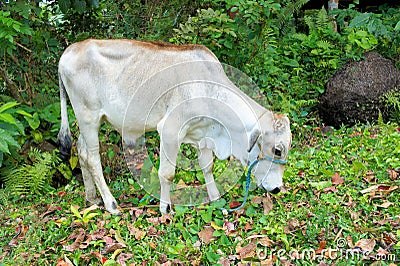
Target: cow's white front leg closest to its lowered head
pixel 206 163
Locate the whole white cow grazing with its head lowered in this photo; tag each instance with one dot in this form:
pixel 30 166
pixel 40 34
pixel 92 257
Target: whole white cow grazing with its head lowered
pixel 180 91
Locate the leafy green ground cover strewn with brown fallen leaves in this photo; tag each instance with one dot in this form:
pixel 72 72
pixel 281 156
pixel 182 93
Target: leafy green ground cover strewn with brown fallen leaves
pixel 357 210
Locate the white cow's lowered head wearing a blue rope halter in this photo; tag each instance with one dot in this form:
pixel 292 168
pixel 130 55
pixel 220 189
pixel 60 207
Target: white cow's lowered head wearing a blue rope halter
pixel 270 140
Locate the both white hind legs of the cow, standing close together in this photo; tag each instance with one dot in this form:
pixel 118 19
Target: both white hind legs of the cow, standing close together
pixel 93 174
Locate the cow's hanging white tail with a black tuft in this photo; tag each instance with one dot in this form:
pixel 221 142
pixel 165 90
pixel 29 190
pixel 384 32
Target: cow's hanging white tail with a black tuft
pixel 64 136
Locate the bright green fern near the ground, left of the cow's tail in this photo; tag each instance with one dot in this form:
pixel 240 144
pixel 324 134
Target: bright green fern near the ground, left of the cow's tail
pixel 33 179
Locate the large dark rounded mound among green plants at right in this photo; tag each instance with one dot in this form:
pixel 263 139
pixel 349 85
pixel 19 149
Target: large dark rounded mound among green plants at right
pixel 354 93
